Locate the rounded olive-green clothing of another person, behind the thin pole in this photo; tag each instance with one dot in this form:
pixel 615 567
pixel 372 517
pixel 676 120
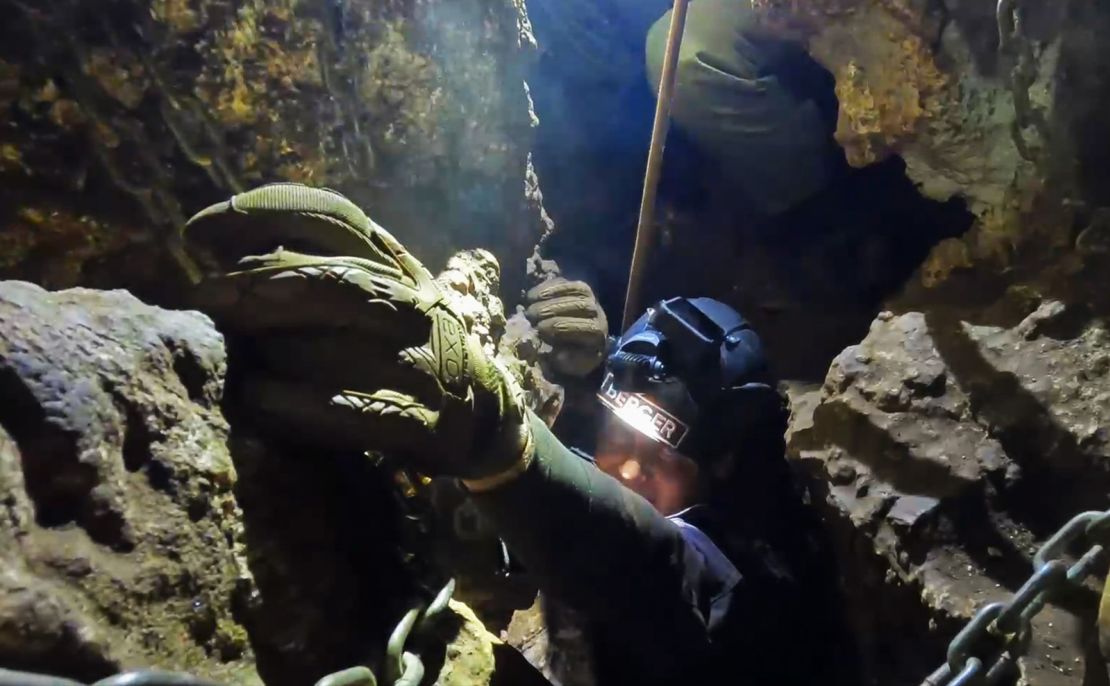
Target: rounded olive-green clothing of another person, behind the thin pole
pixel 771 140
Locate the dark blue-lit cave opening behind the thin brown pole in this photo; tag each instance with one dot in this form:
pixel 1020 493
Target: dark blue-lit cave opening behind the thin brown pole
pixel 811 279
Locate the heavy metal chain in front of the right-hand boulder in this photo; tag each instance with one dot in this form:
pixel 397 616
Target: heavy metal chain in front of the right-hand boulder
pixel 1011 623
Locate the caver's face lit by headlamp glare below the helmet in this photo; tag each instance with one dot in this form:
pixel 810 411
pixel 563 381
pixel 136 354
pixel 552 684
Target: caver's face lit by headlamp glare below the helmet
pixel 662 476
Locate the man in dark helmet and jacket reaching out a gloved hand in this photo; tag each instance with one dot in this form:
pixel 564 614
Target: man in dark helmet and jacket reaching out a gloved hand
pixel 356 348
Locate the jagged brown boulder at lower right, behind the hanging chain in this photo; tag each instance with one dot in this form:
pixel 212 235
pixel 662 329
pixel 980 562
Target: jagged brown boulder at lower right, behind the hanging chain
pixel 944 452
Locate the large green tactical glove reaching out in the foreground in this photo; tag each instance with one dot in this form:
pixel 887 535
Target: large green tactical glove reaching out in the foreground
pixel 352 345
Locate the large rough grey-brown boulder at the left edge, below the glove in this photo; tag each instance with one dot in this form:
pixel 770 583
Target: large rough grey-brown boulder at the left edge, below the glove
pixel 122 541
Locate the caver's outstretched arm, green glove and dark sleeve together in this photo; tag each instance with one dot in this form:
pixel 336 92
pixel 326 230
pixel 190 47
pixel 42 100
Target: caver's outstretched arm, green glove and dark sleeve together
pixel 351 345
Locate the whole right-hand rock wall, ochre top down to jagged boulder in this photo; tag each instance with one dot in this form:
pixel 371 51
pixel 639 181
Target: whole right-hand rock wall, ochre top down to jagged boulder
pixel 968 425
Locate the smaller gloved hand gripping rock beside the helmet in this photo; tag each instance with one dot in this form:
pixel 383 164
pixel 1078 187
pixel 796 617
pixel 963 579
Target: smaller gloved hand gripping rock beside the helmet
pixel 569 318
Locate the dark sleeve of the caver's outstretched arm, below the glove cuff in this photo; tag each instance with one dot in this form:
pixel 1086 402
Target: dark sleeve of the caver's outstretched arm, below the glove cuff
pixel 602 550
